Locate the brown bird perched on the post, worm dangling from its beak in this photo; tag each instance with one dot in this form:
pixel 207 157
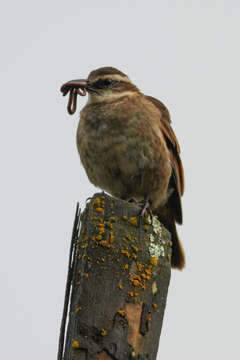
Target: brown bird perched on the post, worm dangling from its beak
pixel 128 148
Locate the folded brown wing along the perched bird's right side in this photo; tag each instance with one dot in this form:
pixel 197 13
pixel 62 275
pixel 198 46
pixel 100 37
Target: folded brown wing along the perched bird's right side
pixel 177 179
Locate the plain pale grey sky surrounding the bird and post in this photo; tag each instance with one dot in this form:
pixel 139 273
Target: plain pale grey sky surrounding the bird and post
pixel 185 53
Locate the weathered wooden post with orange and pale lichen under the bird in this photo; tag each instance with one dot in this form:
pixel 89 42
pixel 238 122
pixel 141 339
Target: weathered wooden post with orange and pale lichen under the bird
pixel 120 276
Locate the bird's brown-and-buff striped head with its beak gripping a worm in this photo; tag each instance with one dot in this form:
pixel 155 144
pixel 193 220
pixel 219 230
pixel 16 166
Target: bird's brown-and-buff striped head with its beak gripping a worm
pixel 103 84
